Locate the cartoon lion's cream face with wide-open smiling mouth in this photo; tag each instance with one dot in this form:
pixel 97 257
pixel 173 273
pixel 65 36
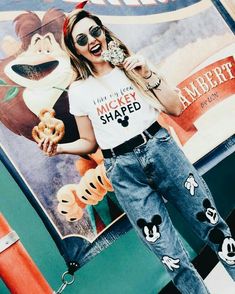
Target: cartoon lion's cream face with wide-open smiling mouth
pixel 43 64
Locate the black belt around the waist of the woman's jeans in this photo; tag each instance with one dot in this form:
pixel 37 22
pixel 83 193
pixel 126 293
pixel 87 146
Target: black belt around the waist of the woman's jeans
pixel 134 142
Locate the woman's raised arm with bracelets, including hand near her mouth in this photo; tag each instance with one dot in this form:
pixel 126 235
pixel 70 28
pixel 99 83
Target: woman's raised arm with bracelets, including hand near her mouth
pixel 159 86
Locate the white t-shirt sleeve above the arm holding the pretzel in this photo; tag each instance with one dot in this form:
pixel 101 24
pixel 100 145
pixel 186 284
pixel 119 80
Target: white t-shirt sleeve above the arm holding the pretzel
pixel 76 102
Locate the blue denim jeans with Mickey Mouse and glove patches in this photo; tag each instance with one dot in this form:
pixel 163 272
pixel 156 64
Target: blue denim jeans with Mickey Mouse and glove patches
pixel 159 168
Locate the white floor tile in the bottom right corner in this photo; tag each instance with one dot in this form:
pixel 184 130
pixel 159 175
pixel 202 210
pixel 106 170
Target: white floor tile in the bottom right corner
pixel 219 282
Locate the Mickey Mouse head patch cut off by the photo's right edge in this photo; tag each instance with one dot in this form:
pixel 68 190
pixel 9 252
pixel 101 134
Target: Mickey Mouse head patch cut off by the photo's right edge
pixel 226 245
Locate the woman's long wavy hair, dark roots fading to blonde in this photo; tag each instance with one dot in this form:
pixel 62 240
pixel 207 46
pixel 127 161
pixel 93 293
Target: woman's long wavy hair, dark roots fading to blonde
pixel 84 68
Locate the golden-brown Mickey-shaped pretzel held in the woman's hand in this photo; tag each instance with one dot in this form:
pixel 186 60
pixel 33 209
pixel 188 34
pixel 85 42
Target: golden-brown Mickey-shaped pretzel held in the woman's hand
pixel 49 128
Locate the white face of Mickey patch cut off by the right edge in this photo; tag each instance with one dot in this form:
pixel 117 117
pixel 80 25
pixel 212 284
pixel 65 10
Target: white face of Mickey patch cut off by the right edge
pixel 227 252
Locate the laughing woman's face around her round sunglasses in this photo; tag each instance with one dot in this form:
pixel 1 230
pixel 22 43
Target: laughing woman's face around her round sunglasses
pixel 95 45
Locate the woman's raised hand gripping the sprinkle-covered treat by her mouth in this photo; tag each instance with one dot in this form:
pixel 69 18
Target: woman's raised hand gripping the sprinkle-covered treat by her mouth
pixel 138 63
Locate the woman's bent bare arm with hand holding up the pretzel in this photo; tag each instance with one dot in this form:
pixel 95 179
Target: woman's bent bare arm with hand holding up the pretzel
pixel 85 145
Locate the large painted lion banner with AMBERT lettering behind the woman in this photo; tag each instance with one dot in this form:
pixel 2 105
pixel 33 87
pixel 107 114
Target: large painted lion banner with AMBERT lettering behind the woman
pixel 188 41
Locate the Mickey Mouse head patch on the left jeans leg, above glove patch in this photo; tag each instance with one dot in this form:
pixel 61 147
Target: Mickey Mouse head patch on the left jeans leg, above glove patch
pixel 151 229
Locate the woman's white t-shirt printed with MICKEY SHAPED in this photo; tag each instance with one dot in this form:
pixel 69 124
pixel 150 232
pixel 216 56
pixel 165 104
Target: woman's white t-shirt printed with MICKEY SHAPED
pixel 114 105
